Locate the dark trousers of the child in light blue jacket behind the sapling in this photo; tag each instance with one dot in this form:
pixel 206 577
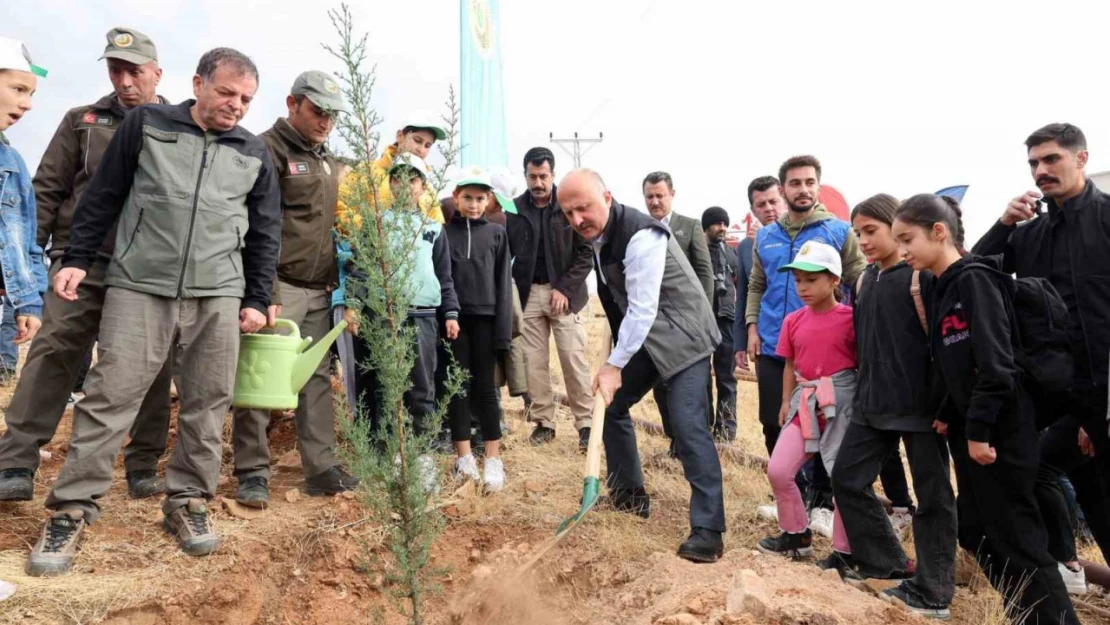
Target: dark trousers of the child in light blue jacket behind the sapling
pixel 420 399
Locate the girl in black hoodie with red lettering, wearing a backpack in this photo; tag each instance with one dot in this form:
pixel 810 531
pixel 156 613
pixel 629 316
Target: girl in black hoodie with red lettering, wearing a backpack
pixel 991 425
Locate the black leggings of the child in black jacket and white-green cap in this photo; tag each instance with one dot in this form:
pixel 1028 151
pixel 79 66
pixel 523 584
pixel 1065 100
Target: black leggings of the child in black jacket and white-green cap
pixel 477 354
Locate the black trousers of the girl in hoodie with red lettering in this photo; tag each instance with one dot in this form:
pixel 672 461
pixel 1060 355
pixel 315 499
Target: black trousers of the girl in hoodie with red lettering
pixel 1001 523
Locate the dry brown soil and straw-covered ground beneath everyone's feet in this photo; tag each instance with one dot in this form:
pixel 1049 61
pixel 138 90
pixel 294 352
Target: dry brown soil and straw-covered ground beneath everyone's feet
pixel 304 561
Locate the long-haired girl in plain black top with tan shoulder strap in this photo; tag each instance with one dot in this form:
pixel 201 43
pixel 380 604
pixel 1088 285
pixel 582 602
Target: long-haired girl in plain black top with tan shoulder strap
pixel 894 405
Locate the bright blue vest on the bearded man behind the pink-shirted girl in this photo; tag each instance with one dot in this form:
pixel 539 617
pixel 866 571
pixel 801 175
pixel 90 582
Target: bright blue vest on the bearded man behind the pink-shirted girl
pixel 775 249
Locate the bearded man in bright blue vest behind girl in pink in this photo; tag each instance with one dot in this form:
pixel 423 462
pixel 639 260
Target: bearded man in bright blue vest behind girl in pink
pixel 772 295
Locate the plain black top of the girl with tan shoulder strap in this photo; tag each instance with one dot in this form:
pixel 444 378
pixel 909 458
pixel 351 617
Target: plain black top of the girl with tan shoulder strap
pixel 895 368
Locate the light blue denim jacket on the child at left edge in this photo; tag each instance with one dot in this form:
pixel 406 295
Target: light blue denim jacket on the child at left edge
pixel 25 273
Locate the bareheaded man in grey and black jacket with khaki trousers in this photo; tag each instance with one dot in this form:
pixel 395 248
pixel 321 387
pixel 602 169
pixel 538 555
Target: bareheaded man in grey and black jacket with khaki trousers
pixel 194 267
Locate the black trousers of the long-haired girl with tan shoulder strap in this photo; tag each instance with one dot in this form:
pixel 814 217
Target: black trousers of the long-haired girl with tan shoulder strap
pixel 864 453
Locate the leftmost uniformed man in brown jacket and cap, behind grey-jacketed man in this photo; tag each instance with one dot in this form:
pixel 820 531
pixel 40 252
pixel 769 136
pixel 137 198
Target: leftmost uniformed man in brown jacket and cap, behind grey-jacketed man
pixel 69 329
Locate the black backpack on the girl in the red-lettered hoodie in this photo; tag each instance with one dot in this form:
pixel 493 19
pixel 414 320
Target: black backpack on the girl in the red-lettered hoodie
pixel 1042 319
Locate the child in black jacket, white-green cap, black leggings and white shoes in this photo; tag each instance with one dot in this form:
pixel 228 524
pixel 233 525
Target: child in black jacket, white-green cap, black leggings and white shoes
pixel 483 280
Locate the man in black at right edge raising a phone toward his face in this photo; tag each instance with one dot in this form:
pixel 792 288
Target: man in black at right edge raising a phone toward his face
pixel 1071 248
